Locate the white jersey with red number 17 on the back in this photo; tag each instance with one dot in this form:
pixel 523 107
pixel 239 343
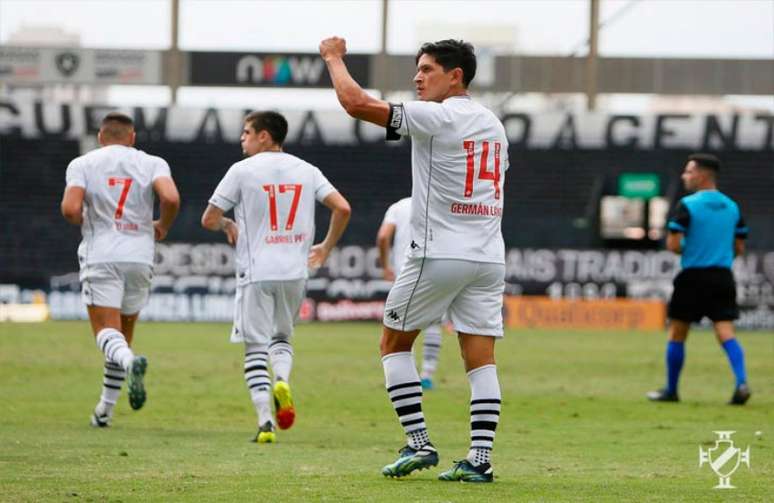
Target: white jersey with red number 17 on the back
pixel 273 195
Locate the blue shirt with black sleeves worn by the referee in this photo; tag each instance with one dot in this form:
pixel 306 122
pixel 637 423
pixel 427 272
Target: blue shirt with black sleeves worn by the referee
pixel 710 221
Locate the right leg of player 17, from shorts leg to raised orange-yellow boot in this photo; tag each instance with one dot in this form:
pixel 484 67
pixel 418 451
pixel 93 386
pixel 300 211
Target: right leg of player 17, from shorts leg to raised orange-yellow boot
pixel 288 298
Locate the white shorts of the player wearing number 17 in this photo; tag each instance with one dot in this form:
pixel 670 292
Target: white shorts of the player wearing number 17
pixel 266 309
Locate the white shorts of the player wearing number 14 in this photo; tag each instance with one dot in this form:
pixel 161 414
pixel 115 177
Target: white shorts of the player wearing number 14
pixel 470 293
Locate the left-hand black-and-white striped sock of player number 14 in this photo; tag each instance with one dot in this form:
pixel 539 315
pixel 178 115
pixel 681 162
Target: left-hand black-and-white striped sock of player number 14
pixel 402 382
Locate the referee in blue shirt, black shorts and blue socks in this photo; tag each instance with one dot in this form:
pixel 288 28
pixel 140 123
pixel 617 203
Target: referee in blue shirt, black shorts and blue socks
pixel 708 230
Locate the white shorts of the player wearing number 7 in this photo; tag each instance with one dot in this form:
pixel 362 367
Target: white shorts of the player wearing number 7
pixel 120 285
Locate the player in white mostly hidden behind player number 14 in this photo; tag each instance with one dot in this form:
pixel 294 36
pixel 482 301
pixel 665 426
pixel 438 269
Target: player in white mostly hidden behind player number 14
pixel 395 230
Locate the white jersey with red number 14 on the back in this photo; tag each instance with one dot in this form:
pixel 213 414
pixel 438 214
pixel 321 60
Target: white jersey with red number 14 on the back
pixel 459 155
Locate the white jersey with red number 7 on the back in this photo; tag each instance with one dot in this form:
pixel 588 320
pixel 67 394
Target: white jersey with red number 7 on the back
pixel 118 203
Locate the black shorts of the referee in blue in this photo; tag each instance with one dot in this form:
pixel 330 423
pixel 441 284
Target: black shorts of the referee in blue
pixel 709 292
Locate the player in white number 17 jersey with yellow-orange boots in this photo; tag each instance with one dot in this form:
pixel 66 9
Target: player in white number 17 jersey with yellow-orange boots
pixel 273 195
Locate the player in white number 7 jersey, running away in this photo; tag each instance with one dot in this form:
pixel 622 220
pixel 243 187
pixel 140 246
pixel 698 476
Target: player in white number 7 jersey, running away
pixel 109 194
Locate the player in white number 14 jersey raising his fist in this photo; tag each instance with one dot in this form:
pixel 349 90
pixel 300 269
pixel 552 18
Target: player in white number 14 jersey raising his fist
pixel 456 260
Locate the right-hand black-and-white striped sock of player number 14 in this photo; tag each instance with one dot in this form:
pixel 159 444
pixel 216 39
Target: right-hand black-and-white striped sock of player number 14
pixel 484 412
